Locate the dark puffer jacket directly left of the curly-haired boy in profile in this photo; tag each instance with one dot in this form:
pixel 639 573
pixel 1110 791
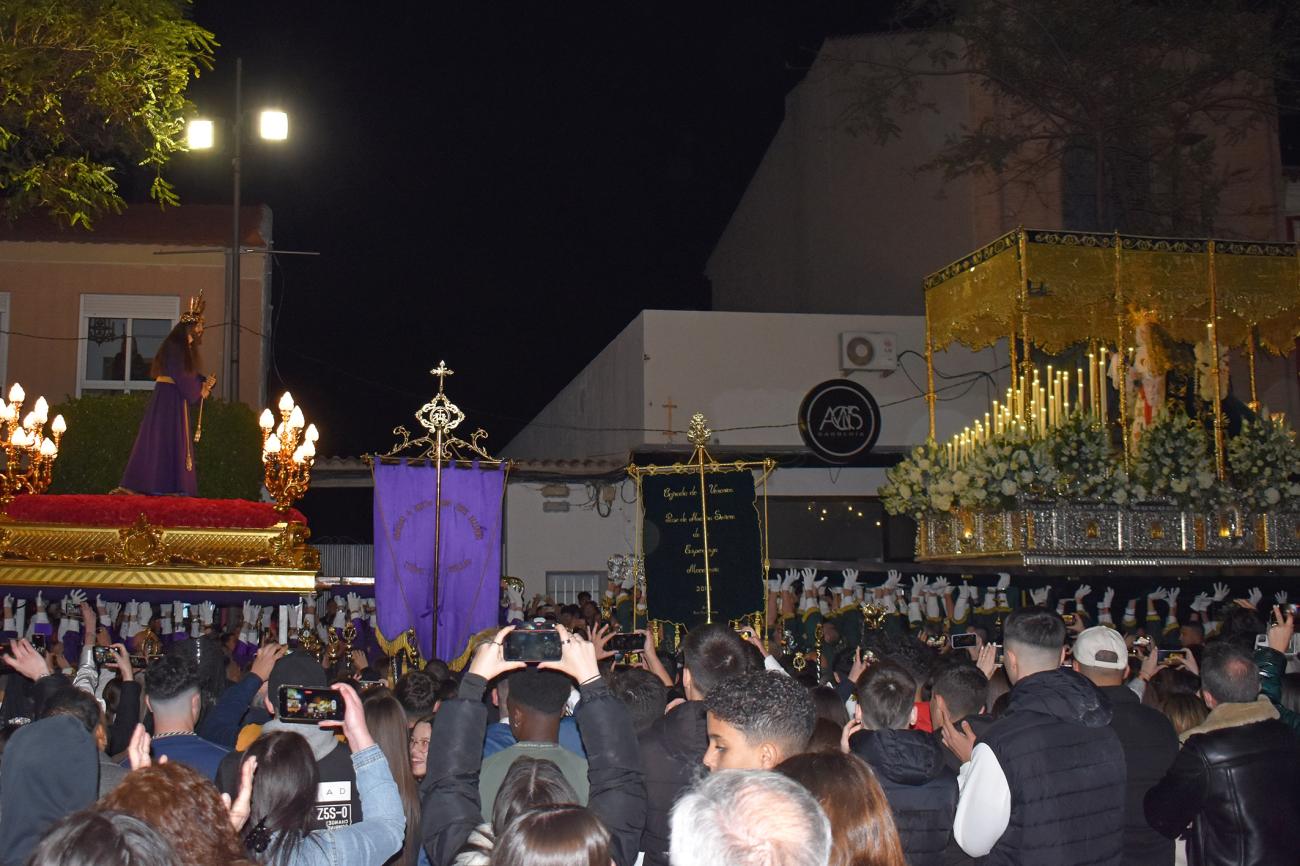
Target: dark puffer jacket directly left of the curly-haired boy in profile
pixel 673 755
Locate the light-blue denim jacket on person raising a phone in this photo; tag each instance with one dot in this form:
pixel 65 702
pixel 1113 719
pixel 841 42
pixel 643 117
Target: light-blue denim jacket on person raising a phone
pixel 382 830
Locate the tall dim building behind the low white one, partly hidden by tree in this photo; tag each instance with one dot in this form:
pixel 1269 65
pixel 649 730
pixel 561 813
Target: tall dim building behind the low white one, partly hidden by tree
pixel 833 223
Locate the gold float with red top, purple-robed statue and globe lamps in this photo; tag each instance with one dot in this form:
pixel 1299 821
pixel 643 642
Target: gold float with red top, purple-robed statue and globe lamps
pixel 157 544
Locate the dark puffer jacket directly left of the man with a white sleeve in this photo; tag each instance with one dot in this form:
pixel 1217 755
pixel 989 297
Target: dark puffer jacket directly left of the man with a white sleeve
pixel 920 786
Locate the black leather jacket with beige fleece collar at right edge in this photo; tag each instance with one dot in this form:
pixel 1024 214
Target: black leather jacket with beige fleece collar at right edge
pixel 1236 783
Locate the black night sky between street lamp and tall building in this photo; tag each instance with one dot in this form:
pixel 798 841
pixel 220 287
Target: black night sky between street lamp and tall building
pixel 500 185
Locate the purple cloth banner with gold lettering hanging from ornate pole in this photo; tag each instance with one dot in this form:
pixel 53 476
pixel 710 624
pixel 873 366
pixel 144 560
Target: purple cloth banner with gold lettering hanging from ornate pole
pixel 469 562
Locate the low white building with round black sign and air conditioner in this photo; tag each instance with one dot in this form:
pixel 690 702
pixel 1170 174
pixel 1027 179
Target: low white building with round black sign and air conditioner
pixel 748 374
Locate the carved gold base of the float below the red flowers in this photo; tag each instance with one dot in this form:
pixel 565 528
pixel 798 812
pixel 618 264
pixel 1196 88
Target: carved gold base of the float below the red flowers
pixel 146 557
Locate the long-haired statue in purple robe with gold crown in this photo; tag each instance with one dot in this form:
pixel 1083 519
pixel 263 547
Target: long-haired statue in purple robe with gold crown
pixel 163 458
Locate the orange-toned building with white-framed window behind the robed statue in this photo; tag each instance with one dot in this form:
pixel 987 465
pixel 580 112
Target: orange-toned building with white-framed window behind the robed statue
pixel 84 313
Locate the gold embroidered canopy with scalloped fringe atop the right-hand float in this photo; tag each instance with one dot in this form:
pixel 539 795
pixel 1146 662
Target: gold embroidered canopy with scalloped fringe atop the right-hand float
pixel 1067 293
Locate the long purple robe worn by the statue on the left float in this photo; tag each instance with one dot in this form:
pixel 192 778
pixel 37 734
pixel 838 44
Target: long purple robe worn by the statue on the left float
pixel 163 458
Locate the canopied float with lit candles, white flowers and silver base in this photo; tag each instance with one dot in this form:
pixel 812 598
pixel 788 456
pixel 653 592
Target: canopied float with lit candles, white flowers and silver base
pixel 1121 439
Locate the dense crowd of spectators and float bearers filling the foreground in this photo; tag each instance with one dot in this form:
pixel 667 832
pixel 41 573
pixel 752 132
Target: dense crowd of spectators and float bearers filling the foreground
pixel 846 726
